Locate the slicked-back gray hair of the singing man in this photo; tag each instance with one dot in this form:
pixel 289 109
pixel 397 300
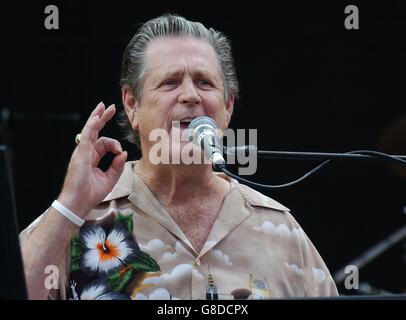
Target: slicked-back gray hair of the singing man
pixel 134 68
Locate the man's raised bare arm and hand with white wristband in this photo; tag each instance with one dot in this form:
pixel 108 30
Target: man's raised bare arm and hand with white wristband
pixel 84 188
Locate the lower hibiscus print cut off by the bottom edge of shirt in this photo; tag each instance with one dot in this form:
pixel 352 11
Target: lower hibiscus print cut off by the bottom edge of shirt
pixel 97 290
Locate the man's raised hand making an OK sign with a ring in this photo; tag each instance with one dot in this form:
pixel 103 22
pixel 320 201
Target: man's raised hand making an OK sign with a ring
pixel 85 184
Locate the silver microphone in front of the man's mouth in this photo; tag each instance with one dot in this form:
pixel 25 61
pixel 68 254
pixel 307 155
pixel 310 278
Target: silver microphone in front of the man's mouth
pixel 202 131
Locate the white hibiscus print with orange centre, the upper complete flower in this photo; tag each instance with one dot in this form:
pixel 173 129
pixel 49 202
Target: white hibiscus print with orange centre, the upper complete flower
pixel 106 252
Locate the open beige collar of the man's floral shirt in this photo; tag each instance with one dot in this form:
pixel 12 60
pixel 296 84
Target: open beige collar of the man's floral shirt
pixel 235 209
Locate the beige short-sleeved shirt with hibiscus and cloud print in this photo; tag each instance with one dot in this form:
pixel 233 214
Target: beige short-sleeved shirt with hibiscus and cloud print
pixel 131 248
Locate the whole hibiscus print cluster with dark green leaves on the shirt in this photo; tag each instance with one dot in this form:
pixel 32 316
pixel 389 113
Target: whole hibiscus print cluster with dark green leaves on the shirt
pixel 106 261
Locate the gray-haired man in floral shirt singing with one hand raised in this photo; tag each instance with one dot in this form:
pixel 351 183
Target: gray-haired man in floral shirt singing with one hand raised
pixel 167 231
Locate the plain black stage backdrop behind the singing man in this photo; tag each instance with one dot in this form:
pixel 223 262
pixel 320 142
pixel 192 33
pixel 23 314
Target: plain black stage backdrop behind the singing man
pixel 307 84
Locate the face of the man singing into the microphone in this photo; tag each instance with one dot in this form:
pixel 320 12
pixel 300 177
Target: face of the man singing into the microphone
pixel 183 81
